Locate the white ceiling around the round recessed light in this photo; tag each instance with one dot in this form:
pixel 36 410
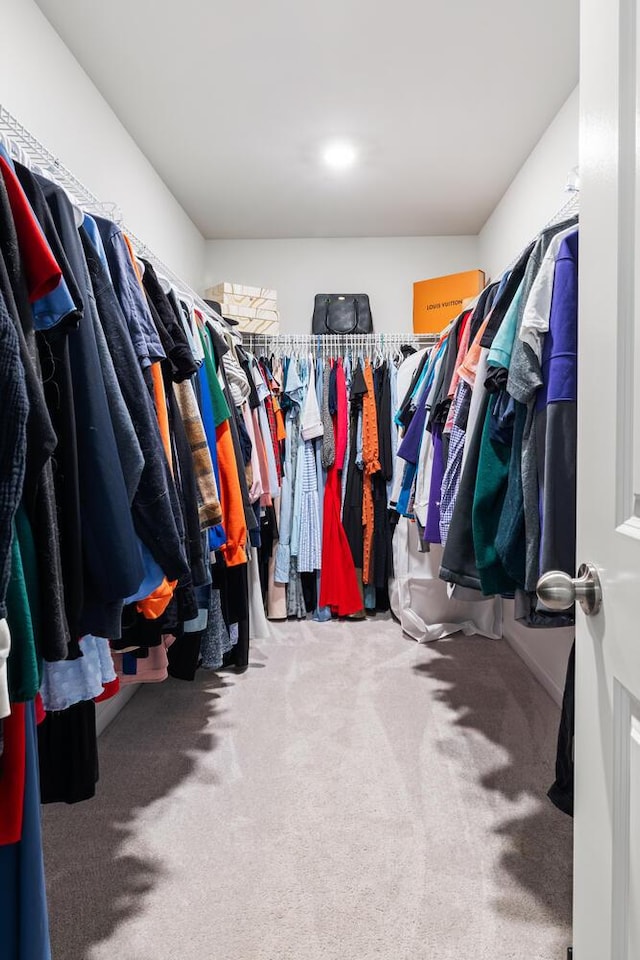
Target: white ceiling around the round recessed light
pixel 232 102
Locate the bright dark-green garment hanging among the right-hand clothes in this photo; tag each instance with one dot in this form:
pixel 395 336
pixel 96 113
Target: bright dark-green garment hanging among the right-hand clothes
pixel 488 502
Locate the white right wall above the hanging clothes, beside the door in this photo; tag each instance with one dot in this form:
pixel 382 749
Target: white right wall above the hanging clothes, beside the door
pixel 536 193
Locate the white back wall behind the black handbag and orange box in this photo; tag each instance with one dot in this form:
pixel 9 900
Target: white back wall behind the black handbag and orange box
pixel 383 267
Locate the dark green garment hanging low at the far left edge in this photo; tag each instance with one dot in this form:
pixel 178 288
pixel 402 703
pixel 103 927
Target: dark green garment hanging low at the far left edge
pixel 24 665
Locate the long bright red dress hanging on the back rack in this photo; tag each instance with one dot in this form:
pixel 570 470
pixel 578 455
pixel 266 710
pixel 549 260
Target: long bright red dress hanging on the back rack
pixel 339 587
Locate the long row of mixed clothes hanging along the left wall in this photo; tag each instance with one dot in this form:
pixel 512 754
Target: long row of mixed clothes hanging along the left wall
pixel 108 560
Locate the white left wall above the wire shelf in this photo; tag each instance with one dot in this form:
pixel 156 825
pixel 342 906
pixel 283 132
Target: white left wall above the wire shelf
pixel 45 88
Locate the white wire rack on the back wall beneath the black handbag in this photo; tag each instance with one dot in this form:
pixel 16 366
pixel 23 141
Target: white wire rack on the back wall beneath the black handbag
pixel 335 345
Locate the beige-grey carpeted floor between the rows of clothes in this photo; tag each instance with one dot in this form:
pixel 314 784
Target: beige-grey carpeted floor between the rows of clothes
pixel 352 796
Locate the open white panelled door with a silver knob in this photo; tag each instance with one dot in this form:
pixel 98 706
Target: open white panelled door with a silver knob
pixel 607 810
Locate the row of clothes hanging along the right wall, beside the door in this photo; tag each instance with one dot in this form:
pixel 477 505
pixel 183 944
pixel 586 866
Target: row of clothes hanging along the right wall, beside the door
pixel 489 420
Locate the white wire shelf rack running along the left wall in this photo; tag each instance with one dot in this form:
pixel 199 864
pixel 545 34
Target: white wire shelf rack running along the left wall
pixel 28 150
